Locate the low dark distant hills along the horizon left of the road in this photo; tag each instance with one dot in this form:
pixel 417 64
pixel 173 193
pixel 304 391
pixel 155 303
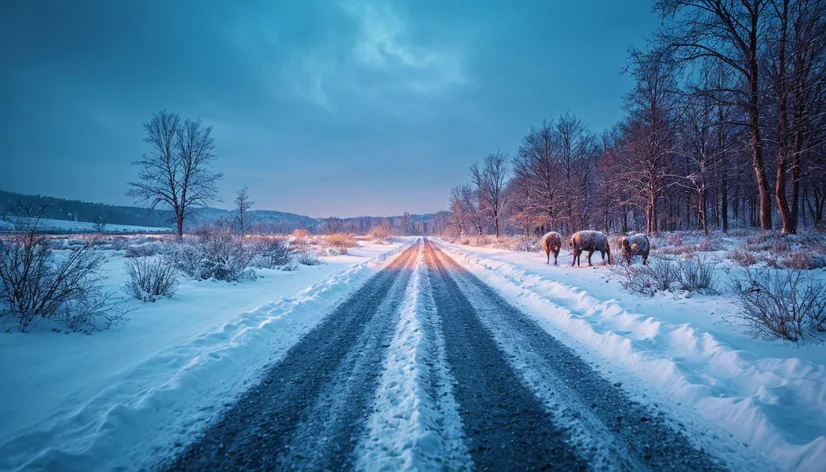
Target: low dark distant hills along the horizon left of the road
pixel 269 221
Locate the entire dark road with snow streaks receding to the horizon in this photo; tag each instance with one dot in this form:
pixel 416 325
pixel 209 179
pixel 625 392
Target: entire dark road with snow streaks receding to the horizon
pixel 426 367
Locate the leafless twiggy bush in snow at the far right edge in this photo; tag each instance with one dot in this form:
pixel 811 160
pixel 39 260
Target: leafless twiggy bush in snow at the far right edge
pixel 787 304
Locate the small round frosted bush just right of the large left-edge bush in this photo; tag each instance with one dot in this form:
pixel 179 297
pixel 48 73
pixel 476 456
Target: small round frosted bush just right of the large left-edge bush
pixel 149 279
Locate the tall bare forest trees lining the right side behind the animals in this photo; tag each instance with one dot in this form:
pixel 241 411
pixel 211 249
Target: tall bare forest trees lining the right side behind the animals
pixel 724 126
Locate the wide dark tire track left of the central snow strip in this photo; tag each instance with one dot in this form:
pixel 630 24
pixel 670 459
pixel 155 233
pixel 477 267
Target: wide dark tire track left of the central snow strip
pixel 308 410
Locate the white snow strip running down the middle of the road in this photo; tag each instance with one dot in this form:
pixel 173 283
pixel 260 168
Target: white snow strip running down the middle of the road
pixel 403 431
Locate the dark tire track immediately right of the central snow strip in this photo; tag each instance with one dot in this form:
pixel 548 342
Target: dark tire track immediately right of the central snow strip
pixel 506 425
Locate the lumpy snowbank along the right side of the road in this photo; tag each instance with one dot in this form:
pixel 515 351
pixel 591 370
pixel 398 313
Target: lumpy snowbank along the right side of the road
pixel 677 353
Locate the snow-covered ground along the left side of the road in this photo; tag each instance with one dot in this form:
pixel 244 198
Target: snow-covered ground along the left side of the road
pixel 125 396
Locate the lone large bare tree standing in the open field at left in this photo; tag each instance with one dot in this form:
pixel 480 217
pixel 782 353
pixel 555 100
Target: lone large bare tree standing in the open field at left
pixel 178 170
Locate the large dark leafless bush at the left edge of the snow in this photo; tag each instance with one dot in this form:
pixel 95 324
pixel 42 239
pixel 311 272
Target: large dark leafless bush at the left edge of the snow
pixel 38 284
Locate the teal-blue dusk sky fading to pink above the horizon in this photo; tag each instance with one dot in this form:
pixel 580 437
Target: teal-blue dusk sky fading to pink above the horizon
pixel 321 107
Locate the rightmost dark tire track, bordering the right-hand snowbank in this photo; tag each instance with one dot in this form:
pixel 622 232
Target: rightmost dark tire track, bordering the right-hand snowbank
pixel 609 429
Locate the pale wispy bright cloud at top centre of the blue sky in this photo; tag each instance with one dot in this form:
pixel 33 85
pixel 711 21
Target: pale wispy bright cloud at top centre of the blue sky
pixel 381 64
